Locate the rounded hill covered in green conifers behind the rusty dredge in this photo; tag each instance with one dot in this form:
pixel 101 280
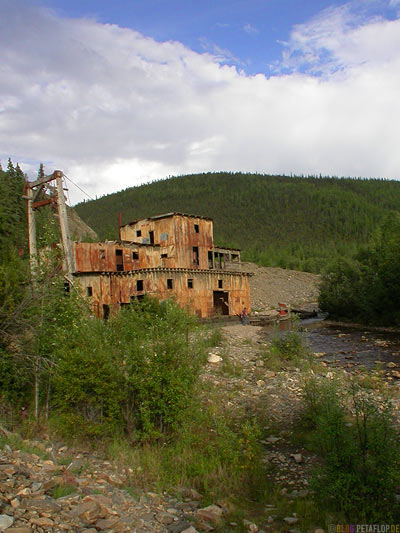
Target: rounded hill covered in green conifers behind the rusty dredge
pixel 285 221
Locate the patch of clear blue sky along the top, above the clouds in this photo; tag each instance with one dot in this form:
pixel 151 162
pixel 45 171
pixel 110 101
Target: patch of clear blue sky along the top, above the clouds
pixel 251 34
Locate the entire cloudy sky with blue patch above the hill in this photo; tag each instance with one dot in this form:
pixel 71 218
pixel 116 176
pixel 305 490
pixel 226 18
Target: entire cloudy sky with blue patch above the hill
pixel 116 93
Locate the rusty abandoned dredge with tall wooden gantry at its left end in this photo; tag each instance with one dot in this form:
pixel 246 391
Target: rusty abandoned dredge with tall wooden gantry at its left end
pixel 165 256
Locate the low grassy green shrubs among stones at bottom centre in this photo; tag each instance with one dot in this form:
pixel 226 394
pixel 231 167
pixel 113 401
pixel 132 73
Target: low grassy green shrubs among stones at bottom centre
pixel 209 452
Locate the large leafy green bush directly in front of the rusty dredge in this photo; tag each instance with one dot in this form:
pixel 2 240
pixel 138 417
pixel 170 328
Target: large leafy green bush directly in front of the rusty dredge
pixel 134 374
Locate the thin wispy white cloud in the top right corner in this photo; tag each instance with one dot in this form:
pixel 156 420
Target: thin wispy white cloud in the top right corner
pixel 340 38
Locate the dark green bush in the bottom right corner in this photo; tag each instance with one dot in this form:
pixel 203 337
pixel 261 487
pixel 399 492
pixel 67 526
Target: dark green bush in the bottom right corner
pixel 360 467
